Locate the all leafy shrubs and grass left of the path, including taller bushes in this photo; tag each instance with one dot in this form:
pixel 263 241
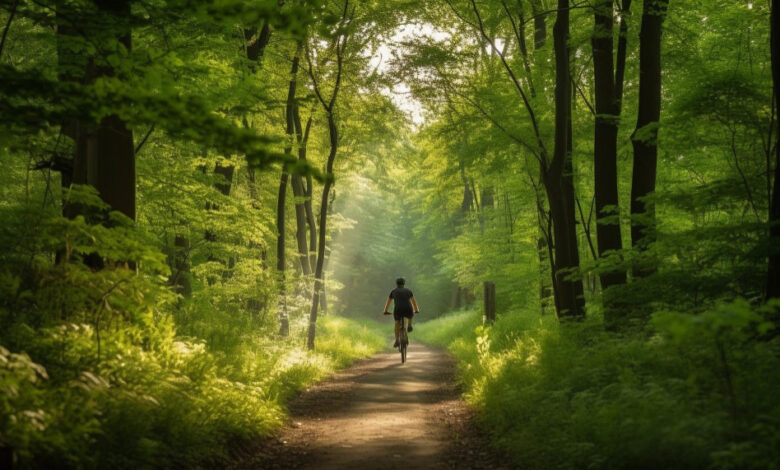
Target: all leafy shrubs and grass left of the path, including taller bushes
pixel 106 368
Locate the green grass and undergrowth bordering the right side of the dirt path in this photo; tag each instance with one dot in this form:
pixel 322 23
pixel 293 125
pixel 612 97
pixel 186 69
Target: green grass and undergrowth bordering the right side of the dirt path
pixel 693 392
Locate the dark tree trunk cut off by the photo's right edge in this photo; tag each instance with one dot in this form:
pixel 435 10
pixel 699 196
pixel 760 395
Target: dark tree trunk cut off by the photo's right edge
pixel 773 274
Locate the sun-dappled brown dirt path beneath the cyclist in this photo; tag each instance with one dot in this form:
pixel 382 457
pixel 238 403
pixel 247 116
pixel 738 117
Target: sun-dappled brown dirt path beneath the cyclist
pixel 379 415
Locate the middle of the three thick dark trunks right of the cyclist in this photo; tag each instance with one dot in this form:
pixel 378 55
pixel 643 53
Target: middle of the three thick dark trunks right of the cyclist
pixel 605 141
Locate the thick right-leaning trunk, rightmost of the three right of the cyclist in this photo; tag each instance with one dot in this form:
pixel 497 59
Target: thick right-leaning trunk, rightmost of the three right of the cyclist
pixel 645 137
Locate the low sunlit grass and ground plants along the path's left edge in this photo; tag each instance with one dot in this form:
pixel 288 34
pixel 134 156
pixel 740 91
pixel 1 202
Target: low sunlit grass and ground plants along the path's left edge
pixel 168 402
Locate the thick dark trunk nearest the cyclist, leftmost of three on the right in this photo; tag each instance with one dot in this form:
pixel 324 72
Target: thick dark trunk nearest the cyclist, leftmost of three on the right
pixel 559 181
